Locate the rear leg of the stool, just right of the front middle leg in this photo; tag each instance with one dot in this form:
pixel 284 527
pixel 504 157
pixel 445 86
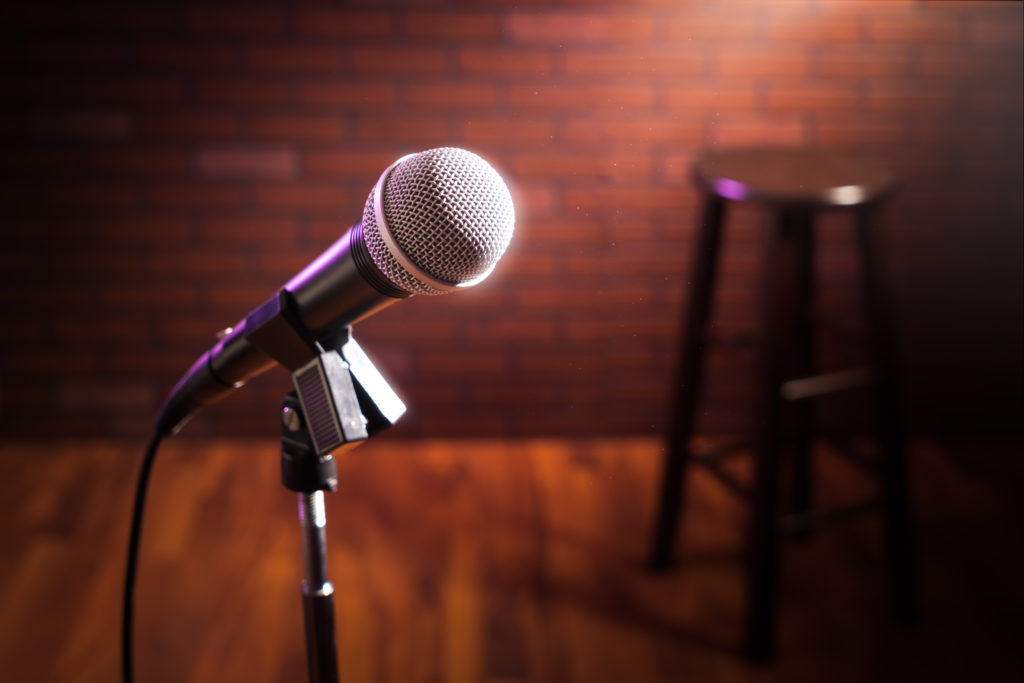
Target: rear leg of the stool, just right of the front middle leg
pixel 804 366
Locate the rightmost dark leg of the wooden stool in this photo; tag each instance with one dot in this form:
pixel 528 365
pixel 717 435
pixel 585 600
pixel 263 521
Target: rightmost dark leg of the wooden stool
pixel 900 544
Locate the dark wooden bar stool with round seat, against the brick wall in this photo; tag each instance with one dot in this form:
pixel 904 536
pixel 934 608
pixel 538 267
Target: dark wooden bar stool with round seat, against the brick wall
pixel 794 184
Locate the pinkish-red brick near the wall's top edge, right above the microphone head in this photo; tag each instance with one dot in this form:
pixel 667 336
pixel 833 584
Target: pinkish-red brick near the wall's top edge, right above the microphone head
pixel 563 28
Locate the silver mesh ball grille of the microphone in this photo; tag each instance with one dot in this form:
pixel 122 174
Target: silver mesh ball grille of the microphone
pixel 439 221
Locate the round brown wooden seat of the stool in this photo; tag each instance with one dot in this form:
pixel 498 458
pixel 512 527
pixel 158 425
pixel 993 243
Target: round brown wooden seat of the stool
pixel 794 177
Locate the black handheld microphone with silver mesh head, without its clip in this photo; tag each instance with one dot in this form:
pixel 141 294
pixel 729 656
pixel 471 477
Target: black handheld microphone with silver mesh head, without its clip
pixel 436 223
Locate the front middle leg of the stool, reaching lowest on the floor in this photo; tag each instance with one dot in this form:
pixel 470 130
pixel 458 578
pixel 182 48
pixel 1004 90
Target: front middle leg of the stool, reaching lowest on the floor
pixel 762 563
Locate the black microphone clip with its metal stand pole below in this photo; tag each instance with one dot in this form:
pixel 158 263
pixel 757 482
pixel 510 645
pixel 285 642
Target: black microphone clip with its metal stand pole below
pixel 340 400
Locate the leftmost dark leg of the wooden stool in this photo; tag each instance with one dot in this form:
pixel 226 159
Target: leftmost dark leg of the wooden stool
pixel 688 385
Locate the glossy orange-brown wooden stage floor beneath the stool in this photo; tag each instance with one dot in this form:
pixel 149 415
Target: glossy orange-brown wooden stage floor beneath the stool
pixel 465 562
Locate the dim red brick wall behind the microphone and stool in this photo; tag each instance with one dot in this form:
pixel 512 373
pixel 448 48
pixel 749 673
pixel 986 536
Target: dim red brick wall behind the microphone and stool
pixel 169 166
